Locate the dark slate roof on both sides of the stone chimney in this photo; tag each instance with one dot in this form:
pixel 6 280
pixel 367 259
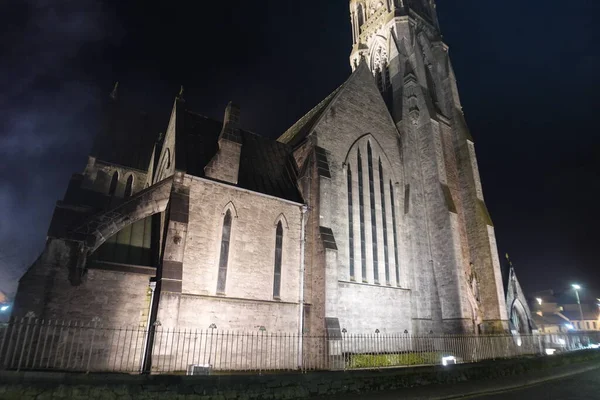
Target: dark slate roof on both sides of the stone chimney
pixel 266 166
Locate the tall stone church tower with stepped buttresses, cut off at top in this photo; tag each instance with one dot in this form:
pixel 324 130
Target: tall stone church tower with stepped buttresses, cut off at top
pixel 401 43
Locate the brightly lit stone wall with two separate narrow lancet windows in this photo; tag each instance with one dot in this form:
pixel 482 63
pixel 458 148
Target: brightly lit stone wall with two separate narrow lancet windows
pixel 248 301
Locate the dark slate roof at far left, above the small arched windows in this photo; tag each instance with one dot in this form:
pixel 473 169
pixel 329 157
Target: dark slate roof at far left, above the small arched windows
pixel 128 136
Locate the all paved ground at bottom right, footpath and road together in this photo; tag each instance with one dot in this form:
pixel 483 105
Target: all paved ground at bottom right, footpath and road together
pixel 572 382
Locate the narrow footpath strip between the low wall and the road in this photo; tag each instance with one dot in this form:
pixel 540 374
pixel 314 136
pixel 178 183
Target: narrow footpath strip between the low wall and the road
pixel 472 388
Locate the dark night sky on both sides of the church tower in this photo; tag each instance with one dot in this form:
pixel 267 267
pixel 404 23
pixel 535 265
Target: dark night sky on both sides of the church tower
pixel 528 72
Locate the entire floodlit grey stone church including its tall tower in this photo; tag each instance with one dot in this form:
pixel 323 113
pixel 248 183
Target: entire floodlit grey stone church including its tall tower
pixel 367 214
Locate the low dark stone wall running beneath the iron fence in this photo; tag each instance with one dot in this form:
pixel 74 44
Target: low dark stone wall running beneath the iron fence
pixel 50 386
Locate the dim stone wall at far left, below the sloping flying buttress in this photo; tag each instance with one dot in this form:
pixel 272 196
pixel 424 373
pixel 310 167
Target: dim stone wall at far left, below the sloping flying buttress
pixel 115 298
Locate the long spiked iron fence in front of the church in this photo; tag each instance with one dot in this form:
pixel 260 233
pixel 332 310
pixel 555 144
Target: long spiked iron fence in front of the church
pixel 30 344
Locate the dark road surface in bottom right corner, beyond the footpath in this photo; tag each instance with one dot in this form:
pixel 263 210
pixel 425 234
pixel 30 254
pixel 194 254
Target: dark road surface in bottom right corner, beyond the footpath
pixel 579 387
